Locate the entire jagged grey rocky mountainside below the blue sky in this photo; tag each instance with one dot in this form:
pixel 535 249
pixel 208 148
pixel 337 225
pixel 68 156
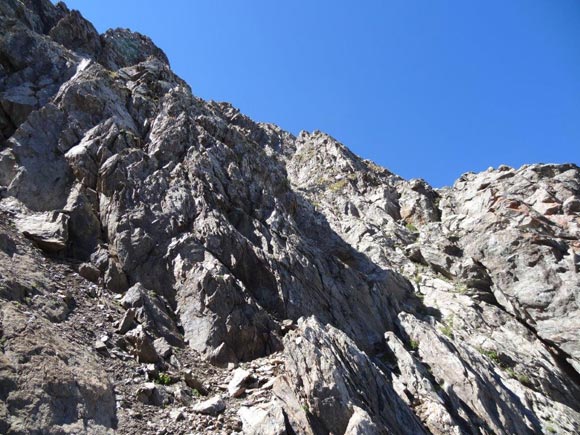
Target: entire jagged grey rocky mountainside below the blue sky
pixel 147 235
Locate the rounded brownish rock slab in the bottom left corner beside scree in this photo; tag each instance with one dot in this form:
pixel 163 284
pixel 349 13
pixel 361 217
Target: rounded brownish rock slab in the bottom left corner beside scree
pixel 63 382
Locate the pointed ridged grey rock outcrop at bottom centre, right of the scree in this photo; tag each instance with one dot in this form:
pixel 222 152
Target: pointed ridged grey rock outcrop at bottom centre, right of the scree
pixel 336 378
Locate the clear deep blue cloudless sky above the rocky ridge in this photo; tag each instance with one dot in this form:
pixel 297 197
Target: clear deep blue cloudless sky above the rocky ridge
pixel 426 88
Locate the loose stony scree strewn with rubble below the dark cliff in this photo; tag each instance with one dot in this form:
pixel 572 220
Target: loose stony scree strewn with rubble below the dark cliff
pixel 92 316
